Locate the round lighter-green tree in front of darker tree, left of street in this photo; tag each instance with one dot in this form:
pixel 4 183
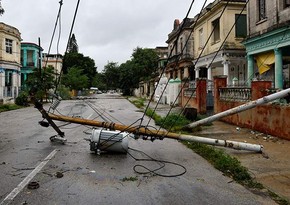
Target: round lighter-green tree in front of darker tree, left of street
pixel 75 79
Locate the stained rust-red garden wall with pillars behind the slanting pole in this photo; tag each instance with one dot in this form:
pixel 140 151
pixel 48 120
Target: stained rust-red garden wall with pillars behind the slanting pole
pixel 271 118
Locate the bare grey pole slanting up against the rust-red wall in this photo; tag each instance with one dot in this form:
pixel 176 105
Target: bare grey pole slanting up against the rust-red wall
pixel 241 108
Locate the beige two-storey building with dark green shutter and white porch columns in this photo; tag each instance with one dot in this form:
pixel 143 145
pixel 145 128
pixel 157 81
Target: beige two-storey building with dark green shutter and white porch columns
pixel 218 33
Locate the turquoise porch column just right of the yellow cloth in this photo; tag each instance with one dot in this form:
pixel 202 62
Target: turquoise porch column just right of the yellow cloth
pixel 278 68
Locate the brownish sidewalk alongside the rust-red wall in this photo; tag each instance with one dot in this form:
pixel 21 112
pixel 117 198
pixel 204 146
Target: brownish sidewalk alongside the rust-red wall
pixel 273 171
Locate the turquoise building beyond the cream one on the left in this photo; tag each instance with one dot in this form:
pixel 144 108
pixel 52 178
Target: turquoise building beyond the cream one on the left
pixel 29 60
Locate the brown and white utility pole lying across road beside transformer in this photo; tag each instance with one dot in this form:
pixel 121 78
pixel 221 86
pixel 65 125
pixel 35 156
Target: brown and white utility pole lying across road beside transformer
pixel 159 134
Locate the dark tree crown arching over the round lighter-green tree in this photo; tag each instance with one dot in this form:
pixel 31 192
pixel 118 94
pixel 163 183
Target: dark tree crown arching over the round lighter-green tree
pixel 83 62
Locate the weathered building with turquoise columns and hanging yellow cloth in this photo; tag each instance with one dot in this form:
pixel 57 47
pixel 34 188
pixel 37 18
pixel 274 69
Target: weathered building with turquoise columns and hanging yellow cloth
pixel 268 42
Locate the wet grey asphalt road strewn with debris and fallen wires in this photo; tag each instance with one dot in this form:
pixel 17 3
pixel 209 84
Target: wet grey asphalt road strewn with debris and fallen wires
pixel 72 174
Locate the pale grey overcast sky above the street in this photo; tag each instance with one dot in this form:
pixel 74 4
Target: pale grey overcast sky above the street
pixel 105 30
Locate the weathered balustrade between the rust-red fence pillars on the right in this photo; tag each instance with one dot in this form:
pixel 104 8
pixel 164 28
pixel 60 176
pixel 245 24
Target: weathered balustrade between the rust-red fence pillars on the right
pixel 235 94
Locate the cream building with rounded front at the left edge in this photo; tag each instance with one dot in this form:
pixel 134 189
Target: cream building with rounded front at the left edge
pixel 10 38
